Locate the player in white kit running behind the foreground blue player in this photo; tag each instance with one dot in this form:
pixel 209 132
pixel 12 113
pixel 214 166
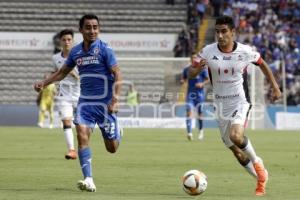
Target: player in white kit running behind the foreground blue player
pixel 68 92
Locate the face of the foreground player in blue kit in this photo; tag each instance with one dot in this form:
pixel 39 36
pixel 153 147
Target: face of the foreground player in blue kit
pixel 90 30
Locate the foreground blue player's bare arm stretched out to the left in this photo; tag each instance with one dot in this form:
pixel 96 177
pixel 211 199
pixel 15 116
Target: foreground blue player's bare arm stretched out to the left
pixel 56 76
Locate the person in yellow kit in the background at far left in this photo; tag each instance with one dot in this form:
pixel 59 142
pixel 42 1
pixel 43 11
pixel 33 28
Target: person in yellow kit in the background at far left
pixel 46 103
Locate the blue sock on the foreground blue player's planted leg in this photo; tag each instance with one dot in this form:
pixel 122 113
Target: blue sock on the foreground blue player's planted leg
pixel 85 158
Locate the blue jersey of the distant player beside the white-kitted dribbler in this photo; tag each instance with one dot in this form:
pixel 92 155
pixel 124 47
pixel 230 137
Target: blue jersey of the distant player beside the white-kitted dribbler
pixel 193 92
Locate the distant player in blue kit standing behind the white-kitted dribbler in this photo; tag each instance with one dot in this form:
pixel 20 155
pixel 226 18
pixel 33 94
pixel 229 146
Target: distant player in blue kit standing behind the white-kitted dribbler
pixel 195 97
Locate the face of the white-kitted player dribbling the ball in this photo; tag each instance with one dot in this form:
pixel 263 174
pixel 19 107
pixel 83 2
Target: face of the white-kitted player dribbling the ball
pixel 224 35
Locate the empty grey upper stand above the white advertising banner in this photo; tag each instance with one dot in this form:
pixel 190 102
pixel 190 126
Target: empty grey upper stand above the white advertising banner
pixel 116 16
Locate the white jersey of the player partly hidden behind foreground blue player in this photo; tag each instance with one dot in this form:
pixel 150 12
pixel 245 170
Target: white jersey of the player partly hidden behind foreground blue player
pixel 69 87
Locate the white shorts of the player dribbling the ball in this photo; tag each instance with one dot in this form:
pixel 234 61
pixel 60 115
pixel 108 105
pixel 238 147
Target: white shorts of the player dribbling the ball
pixel 236 115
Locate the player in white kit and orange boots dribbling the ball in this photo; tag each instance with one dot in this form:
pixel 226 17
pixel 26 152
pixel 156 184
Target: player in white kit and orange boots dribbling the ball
pixel 227 62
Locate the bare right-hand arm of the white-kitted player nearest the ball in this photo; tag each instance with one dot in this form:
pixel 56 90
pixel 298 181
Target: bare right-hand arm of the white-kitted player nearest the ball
pixel 276 93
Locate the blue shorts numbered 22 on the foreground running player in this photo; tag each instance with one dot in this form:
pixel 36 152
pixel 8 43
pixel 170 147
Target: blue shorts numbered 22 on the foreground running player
pixel 92 113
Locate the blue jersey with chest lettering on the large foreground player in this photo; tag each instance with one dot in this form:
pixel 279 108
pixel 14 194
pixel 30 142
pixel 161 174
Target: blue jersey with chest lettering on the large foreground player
pixel 96 79
